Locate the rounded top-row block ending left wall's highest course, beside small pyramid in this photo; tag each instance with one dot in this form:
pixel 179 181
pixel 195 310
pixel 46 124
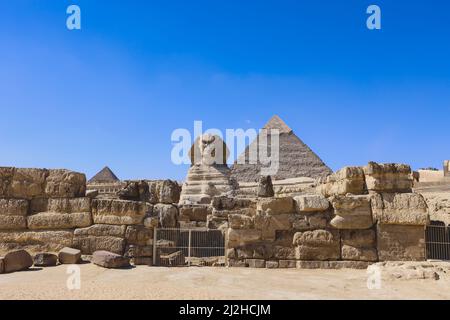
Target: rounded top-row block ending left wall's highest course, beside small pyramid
pixel 63 183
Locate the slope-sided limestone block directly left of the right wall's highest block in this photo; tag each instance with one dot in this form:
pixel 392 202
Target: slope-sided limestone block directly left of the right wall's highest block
pixel 344 181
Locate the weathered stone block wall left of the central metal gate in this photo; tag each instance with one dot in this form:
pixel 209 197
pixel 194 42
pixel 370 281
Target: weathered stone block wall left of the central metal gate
pixel 46 210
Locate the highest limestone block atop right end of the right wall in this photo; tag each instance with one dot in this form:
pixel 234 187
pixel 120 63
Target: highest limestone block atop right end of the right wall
pixel 391 177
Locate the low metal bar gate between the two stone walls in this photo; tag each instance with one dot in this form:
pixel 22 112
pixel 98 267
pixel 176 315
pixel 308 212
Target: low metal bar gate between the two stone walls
pixel 188 247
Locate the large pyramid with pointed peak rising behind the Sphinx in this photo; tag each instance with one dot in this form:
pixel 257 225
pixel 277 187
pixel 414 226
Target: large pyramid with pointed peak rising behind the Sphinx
pixel 296 159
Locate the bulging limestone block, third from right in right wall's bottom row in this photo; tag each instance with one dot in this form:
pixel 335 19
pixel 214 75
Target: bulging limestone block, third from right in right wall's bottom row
pixel 317 245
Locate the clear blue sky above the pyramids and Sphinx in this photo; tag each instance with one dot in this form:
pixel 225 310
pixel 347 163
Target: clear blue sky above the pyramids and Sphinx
pixel 112 93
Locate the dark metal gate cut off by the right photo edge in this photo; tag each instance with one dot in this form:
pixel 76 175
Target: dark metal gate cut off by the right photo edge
pixel 437 238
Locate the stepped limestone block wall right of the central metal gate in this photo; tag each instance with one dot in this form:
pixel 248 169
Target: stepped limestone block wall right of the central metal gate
pixel 362 215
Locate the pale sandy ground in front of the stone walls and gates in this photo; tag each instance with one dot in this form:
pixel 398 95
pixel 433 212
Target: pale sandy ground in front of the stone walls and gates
pixel 144 282
